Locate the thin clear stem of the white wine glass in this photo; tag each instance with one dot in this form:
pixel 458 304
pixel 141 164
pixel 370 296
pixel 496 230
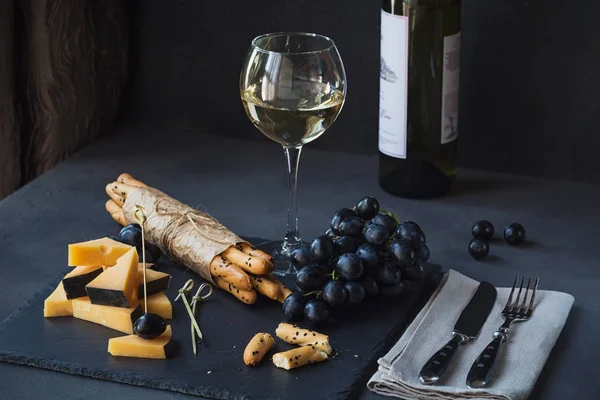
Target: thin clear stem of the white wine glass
pixel 292 236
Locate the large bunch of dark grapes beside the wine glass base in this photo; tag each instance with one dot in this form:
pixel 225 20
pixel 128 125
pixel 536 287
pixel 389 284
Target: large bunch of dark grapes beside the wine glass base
pixel 366 252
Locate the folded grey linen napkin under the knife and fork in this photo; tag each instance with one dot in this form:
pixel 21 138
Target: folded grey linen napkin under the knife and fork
pixel 518 365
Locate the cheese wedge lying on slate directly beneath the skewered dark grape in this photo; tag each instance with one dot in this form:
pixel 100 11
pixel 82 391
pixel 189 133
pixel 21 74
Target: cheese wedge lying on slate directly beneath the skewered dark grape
pixel 133 346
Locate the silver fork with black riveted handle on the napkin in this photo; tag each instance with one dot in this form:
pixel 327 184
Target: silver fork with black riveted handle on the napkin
pixel 517 311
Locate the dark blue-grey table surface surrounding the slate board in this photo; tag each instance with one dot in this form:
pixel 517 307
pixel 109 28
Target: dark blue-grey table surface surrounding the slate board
pixel 242 183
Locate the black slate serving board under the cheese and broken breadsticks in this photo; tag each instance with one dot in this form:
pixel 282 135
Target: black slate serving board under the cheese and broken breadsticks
pixel 72 346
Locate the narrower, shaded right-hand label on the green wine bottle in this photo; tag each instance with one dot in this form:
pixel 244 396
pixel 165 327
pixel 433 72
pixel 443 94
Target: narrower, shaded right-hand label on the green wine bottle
pixel 450 73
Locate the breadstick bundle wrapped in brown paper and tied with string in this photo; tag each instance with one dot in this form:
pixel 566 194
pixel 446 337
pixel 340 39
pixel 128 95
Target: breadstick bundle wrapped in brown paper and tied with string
pixel 196 240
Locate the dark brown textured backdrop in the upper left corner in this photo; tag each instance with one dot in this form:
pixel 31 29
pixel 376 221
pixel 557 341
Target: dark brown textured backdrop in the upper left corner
pixel 63 67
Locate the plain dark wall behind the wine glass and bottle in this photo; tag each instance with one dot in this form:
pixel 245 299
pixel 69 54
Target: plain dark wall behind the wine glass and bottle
pixel 530 75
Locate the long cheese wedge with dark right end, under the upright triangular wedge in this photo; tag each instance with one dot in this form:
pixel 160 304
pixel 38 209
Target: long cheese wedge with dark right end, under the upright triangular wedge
pixel 117 318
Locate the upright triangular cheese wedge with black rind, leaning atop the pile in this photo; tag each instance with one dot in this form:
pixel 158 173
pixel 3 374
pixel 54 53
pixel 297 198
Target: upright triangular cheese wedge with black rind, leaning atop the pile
pixel 117 285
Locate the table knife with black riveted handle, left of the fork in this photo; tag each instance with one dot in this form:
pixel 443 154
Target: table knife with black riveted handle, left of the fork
pixel 467 327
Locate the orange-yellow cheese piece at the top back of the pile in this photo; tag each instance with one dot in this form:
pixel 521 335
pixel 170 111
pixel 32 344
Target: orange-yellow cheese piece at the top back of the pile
pixel 103 251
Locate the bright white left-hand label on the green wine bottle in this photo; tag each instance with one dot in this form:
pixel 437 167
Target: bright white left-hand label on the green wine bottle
pixel 393 91
